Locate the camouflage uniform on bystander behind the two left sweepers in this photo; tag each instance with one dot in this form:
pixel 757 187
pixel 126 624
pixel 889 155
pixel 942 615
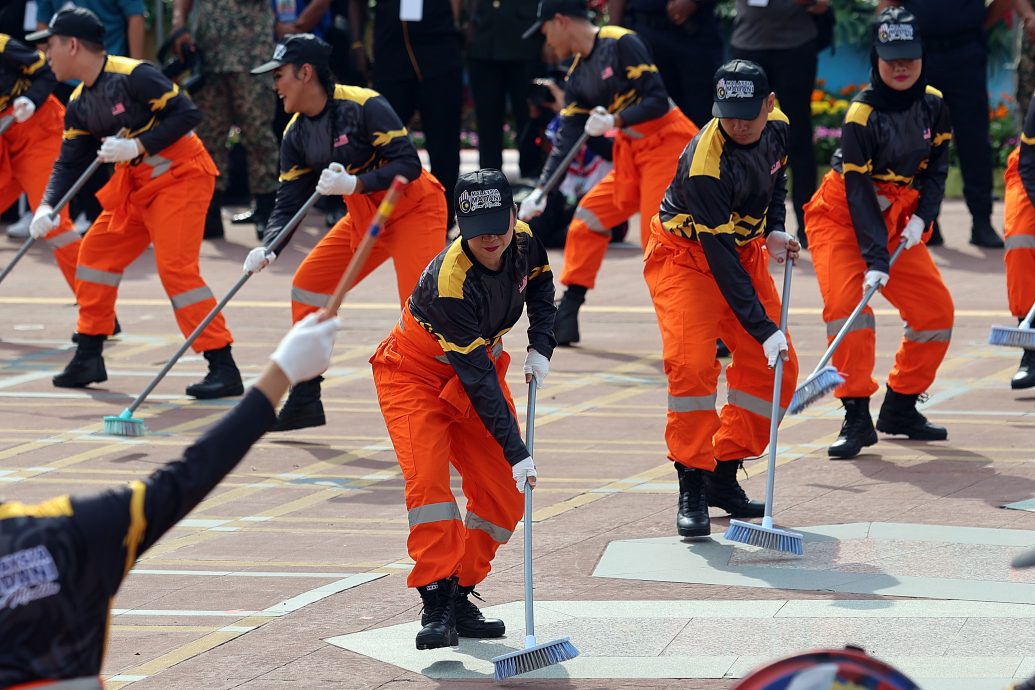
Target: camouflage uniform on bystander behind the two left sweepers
pixel 234 37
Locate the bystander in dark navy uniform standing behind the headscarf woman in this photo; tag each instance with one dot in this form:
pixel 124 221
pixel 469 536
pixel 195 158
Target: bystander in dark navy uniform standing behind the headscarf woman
pixel 956 61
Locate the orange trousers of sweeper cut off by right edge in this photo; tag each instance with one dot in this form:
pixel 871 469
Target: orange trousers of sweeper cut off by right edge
pixel 1020 257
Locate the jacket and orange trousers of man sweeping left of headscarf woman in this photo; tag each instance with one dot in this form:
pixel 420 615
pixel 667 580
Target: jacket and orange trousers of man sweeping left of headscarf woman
pixel 708 274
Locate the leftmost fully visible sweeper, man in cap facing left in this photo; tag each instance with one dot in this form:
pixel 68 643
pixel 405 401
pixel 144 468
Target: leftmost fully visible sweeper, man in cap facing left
pixel 159 196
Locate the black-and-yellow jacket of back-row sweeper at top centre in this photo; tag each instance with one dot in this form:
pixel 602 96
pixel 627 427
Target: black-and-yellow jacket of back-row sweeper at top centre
pixel 619 74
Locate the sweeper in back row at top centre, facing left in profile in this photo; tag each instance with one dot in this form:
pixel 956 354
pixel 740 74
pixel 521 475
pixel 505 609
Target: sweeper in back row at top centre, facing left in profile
pixel 613 86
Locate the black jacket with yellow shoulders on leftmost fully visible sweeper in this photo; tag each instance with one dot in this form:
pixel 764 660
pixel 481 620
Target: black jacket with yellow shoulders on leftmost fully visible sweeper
pixel 128 94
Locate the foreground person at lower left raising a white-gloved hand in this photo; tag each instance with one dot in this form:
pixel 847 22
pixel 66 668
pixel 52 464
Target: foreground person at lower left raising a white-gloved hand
pixel 63 561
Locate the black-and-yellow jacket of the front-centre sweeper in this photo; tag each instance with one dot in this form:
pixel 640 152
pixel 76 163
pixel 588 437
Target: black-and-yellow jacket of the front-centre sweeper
pixel 467 307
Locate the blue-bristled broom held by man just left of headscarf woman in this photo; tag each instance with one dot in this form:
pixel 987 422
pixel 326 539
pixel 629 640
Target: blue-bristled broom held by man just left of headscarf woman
pixel 766 535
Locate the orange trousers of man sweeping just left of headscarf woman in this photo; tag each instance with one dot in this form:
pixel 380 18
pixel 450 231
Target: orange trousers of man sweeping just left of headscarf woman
pixel 693 313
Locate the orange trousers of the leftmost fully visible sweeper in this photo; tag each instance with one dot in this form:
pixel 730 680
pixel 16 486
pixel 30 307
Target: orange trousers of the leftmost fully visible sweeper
pixel 162 201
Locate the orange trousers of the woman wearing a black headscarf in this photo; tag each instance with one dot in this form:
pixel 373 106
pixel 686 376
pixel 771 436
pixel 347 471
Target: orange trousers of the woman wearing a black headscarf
pixel 915 288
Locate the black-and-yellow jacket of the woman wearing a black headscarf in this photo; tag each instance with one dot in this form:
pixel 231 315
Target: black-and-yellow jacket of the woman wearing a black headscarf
pixel 909 147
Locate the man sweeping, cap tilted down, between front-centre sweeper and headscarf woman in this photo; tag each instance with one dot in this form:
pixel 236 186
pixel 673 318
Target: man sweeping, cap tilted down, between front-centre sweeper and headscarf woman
pixel 707 268
